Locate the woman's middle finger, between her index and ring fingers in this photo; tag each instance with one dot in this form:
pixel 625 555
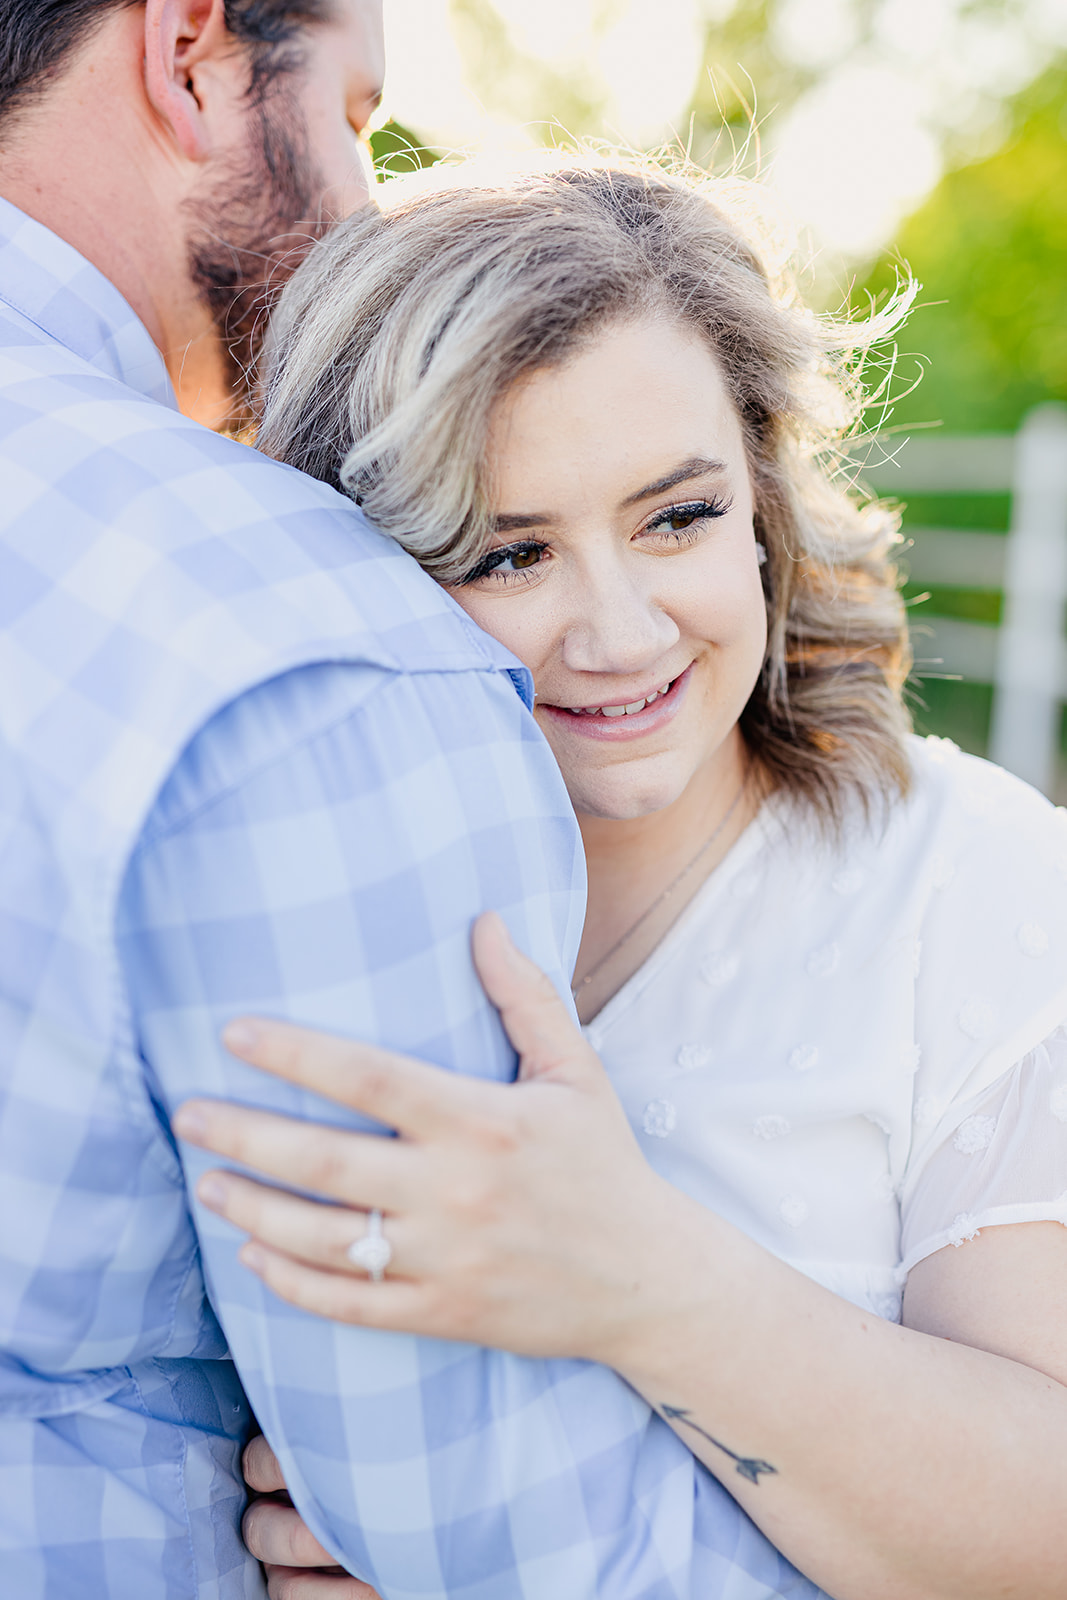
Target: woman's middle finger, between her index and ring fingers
pixel 359 1169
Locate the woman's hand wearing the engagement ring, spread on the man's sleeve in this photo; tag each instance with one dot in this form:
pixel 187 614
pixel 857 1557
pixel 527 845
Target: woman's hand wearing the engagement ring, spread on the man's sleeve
pixel 519 1215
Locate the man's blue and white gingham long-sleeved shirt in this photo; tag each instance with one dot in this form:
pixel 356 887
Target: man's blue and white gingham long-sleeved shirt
pixel 255 761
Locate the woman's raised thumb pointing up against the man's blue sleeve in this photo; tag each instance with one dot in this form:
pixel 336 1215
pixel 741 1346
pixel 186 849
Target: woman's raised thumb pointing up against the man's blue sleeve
pixel 538 1023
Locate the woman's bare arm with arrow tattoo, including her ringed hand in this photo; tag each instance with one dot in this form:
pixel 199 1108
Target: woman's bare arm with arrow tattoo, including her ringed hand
pixel 889 1463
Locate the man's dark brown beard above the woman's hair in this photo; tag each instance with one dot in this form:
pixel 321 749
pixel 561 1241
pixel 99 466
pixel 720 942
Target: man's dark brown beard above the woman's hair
pixel 252 236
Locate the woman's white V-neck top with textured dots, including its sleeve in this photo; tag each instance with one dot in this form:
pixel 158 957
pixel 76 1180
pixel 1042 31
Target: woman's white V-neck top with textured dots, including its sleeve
pixel 857 1052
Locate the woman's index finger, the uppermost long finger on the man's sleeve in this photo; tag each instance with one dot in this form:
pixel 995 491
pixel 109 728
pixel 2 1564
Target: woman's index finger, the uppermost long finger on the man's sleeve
pixel 396 1090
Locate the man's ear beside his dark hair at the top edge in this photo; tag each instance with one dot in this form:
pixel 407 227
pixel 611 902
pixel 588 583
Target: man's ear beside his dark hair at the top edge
pixel 180 36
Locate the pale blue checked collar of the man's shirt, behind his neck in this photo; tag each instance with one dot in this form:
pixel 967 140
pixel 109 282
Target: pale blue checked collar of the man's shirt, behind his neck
pixel 68 298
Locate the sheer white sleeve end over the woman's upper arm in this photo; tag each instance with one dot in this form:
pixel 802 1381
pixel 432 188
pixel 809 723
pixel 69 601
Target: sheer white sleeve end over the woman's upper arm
pixel 1004 1162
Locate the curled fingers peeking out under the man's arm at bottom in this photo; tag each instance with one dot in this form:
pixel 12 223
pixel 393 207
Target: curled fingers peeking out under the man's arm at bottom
pixel 298 1569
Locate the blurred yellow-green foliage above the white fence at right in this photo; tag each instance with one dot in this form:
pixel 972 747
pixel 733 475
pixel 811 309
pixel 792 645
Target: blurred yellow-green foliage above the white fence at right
pixel 991 250
